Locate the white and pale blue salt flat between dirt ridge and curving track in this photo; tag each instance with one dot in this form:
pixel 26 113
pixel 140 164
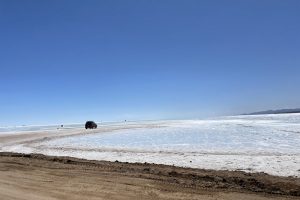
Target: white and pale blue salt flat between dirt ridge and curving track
pixel 258 143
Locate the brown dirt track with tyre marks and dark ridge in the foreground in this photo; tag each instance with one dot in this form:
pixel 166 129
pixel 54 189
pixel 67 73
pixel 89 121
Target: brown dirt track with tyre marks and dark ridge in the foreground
pixel 33 176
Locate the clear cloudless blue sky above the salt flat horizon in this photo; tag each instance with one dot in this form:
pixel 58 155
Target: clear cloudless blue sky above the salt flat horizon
pixel 71 61
